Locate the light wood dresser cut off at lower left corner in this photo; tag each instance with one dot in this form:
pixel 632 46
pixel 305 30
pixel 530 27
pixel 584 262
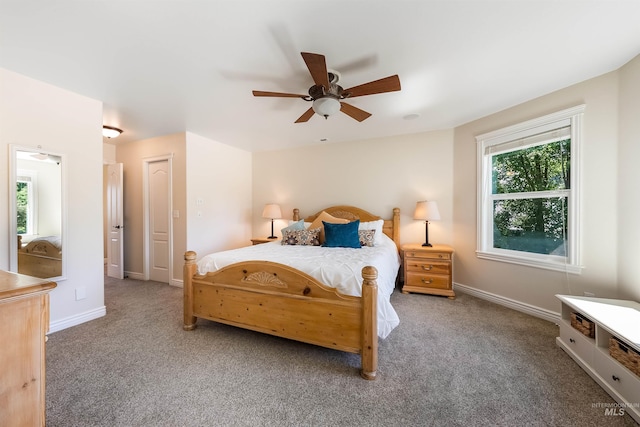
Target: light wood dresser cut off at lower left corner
pixel 24 321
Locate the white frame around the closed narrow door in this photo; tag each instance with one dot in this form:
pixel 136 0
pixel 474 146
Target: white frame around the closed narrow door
pixel 146 211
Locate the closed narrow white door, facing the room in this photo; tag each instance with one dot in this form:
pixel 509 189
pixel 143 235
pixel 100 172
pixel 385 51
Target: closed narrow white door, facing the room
pixel 159 217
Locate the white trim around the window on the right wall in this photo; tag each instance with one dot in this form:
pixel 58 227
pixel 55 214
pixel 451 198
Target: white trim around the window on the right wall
pixel 572 263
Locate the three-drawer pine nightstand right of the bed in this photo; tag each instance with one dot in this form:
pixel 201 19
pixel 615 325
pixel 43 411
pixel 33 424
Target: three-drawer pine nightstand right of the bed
pixel 428 269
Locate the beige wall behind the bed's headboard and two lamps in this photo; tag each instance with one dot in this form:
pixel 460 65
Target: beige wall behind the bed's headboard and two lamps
pixel 376 175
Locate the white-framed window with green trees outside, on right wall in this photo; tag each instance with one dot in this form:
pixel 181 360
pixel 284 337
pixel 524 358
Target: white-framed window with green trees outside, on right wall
pixel 528 192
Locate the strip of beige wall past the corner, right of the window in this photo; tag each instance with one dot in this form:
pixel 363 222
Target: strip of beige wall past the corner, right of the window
pixel 628 179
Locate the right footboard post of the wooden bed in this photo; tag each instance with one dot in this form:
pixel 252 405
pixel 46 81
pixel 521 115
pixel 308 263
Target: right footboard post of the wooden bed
pixel 369 352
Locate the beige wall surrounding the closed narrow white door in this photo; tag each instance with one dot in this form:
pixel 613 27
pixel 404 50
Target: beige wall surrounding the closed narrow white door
pixel 132 156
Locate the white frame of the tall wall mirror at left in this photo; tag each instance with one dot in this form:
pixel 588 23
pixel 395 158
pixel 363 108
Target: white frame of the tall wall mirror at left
pixel 13 220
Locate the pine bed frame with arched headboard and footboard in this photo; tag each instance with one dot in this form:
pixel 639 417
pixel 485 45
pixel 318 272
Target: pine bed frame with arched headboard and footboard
pixel 279 300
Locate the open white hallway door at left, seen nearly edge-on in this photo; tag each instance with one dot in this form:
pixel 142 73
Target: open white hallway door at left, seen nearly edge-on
pixel 115 253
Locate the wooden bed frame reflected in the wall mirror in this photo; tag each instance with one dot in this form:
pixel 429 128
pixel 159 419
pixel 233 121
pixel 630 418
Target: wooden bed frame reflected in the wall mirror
pixel 39 259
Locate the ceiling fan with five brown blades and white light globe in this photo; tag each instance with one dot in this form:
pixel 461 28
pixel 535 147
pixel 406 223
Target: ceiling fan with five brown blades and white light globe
pixel 327 96
